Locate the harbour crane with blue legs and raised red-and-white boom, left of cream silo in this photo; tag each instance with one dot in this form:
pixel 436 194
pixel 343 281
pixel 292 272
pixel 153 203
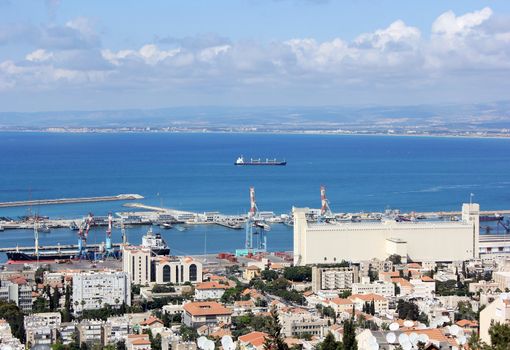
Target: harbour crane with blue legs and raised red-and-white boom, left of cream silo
pixel 256 227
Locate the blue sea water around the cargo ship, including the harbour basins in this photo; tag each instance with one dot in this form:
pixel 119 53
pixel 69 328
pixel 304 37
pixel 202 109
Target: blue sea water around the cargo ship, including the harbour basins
pixel 195 172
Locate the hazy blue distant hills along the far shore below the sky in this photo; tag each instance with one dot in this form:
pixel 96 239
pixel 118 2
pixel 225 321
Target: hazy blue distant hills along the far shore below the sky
pixel 441 117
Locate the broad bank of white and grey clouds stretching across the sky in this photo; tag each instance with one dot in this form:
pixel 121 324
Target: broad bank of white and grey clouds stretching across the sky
pixel 396 57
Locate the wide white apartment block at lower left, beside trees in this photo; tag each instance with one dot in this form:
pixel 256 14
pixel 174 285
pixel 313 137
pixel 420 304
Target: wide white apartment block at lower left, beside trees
pixel 92 290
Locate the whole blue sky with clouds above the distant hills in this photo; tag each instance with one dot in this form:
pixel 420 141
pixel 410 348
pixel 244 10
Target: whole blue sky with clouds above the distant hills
pixel 96 55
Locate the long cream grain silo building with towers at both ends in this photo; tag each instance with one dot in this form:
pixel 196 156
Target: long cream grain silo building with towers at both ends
pixel 319 243
